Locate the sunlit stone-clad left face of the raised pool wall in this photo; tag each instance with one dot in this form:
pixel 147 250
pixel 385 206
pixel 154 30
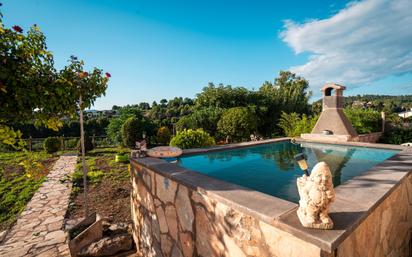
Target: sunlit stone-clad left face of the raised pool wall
pixel 174 220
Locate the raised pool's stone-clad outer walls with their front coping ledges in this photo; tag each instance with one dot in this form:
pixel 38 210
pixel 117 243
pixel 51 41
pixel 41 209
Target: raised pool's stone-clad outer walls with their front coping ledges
pixel 179 213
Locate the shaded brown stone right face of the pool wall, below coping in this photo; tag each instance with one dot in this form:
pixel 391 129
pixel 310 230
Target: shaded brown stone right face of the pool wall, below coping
pixel 387 231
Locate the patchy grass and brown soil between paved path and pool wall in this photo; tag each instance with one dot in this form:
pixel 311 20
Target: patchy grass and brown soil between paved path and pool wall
pixel 108 186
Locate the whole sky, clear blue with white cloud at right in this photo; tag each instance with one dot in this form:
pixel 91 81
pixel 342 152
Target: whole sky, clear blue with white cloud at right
pixel 162 49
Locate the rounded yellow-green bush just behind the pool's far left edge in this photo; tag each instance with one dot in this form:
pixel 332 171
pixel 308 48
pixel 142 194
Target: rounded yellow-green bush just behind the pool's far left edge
pixel 192 139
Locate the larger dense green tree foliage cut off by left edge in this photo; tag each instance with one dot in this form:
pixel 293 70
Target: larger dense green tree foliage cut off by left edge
pixel 27 82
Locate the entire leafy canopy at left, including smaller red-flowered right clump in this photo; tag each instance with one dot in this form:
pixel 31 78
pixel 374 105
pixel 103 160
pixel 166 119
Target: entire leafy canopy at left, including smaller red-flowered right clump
pixel 31 90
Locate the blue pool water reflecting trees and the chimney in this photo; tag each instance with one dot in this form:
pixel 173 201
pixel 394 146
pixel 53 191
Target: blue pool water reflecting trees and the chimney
pixel 271 169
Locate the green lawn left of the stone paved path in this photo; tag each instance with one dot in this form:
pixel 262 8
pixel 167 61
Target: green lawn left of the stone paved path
pixel 21 174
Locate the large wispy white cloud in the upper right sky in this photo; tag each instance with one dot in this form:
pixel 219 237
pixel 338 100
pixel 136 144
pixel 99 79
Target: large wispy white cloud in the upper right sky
pixel 364 42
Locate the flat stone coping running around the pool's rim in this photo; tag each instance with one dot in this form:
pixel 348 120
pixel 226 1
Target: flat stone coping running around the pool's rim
pixel 355 199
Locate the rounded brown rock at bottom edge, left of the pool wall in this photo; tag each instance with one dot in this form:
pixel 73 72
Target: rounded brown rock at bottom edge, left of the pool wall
pixel 108 246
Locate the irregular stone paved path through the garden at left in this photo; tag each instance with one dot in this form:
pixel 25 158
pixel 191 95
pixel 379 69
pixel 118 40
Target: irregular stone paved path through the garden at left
pixel 38 231
